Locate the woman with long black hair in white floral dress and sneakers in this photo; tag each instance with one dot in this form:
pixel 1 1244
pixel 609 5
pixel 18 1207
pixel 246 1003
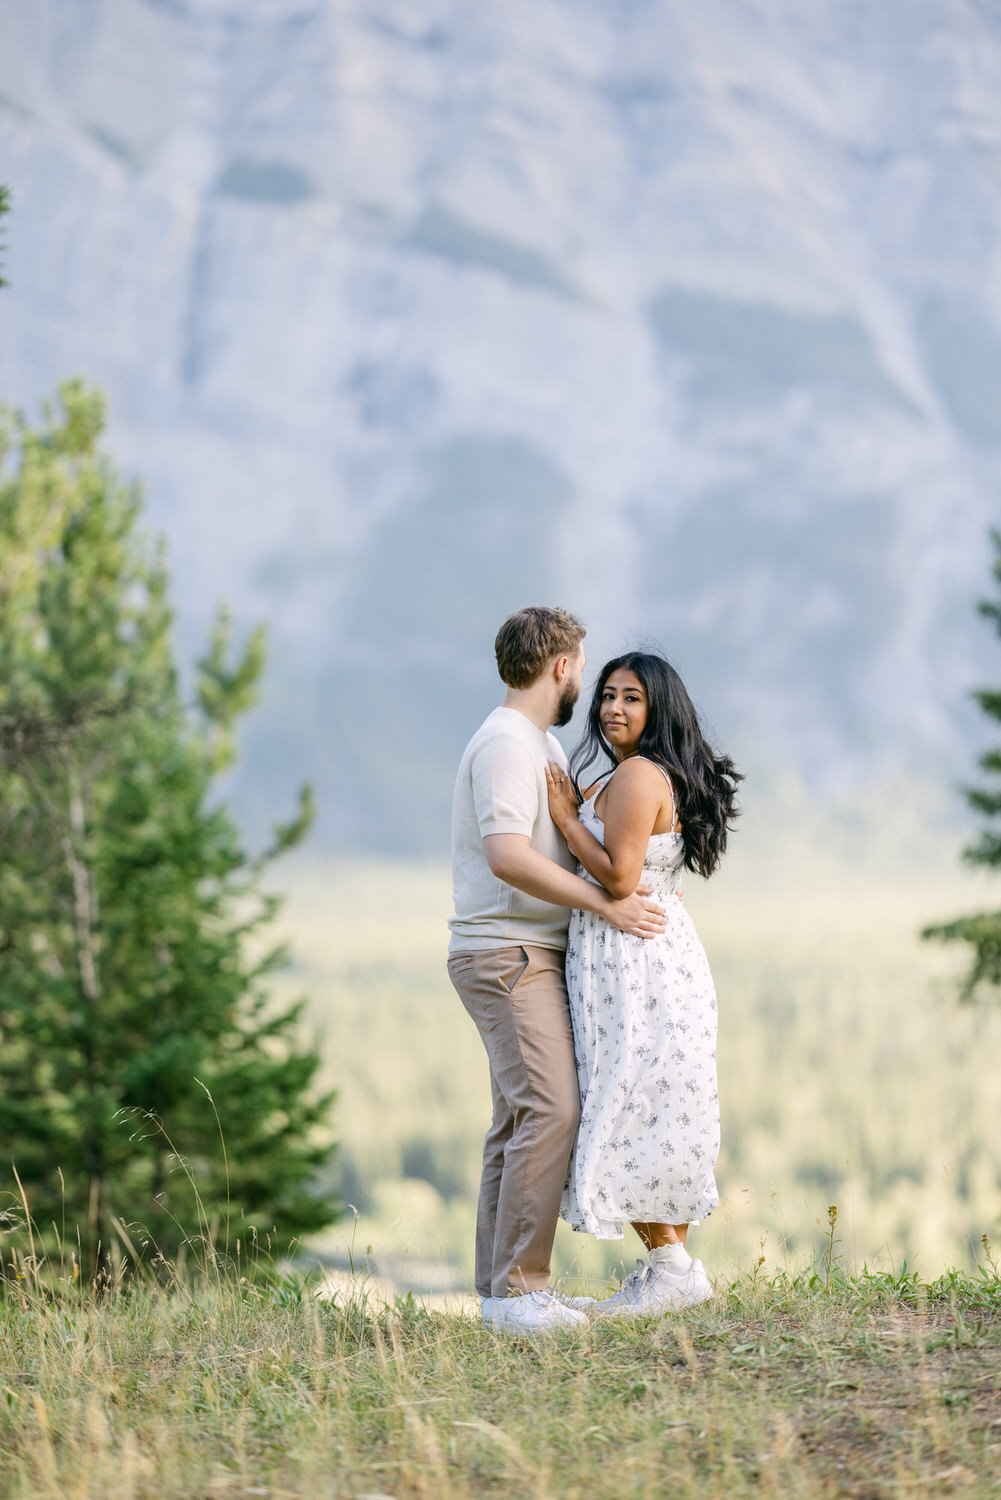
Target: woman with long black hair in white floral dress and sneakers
pixel 645 1013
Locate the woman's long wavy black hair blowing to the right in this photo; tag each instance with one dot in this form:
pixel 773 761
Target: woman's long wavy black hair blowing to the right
pixel 705 784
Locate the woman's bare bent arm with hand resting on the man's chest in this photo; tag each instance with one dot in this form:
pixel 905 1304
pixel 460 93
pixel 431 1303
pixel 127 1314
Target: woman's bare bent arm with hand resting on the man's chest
pixel 633 802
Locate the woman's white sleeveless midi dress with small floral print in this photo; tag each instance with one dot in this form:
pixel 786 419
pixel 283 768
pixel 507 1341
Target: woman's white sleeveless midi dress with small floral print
pixel 645 1033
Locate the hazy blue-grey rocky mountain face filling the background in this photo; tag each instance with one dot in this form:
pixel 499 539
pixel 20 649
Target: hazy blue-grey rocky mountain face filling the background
pixel 410 313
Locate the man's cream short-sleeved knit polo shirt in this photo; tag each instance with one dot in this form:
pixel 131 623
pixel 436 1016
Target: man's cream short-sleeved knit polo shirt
pixel 502 790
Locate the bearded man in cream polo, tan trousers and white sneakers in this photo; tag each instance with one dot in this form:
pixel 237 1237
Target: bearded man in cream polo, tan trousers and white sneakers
pixel 514 884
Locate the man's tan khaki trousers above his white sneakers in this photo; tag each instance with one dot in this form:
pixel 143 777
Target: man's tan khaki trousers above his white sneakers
pixel 519 1000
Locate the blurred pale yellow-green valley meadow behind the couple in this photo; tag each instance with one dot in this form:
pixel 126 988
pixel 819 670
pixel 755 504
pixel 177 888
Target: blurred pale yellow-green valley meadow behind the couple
pixel 849 1073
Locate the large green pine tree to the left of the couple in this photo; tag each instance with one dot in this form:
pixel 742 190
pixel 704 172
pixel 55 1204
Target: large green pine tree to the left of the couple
pixel 134 967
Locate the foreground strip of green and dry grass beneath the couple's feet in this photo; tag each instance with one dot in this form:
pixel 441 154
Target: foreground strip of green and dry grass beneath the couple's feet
pixel 873 1388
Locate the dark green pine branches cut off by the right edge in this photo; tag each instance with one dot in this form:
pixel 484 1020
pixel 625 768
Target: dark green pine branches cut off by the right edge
pixel 984 929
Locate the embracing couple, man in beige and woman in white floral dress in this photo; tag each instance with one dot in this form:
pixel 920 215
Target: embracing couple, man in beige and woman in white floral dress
pixel 574 955
